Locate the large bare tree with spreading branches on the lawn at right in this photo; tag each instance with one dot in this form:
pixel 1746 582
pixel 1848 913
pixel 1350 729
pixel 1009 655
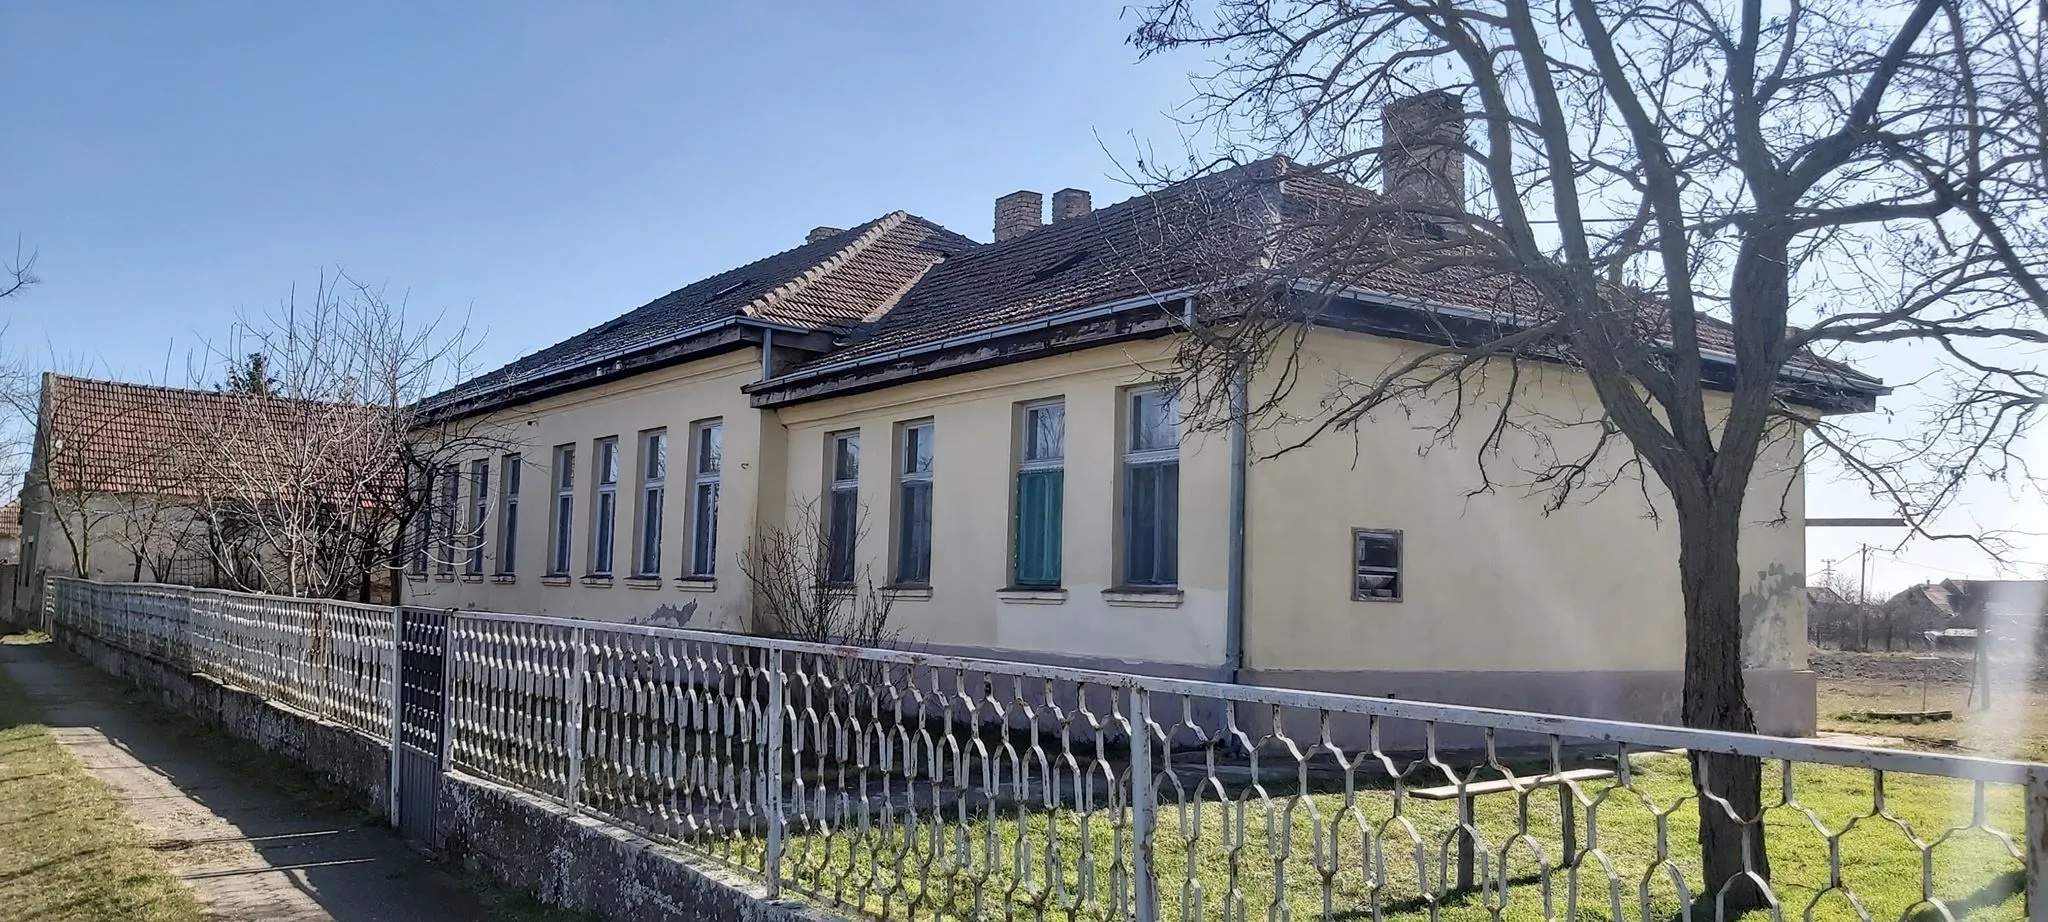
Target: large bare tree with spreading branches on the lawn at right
pixel 1691 204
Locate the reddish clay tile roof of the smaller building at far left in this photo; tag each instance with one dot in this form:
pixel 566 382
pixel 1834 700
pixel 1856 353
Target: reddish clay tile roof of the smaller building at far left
pixel 112 437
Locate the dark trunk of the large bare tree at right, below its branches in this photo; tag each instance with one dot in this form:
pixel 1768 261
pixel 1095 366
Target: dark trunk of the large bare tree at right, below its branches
pixel 1730 788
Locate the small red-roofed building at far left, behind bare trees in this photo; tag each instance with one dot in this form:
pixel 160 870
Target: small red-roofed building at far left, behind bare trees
pixel 165 485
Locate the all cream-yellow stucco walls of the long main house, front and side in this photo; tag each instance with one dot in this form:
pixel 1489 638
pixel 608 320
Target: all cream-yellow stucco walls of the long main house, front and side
pixel 1492 583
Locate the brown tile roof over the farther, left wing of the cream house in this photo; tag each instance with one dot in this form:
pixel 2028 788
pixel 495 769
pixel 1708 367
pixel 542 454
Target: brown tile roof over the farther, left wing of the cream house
pixel 830 284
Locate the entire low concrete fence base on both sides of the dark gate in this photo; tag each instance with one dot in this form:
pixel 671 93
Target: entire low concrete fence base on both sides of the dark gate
pixel 525 843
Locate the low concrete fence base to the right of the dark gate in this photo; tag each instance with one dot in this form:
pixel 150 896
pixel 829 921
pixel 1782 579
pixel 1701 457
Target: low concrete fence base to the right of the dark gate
pixel 589 866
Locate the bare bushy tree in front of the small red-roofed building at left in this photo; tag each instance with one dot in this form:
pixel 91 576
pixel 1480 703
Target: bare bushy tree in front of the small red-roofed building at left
pixel 325 478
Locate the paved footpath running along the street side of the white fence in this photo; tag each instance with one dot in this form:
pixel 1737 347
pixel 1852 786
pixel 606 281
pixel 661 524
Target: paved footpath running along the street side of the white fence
pixel 247 849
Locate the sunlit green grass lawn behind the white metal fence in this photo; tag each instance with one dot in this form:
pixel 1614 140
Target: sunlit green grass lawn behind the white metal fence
pixel 1369 855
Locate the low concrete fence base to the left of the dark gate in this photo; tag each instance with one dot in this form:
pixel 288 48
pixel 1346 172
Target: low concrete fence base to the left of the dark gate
pixel 345 759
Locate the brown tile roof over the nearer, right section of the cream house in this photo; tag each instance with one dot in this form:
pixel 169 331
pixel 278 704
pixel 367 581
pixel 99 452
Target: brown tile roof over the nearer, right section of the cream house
pixel 1175 239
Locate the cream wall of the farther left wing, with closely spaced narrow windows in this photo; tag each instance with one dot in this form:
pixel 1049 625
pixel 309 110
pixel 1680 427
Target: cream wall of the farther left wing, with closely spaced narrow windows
pixel 669 399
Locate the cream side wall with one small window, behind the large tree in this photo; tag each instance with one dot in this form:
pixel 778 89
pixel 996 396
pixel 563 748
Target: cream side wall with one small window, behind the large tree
pixel 1494 583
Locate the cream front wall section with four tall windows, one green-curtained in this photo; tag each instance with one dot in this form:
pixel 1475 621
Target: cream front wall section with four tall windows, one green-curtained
pixel 976 419
